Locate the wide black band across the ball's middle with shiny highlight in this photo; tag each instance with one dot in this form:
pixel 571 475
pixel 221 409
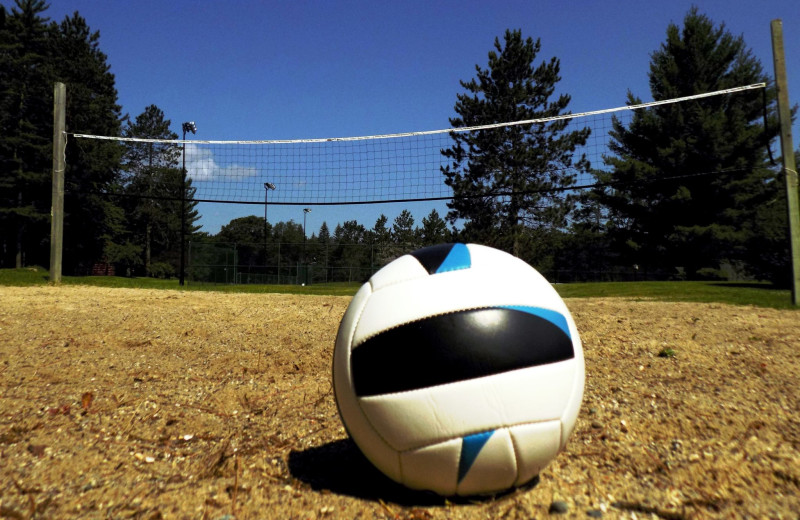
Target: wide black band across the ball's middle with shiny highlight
pixel 456 347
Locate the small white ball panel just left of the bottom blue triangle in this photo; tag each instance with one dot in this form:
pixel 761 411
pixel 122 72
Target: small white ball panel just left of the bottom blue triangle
pixel 432 467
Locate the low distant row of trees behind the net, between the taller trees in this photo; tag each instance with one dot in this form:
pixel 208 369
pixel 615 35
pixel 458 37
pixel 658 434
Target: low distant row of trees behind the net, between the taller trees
pixel 262 252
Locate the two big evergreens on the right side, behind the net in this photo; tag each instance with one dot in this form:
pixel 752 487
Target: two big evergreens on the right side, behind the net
pixel 687 190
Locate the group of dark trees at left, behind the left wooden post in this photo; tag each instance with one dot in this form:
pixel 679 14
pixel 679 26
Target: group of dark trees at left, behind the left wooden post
pixel 122 202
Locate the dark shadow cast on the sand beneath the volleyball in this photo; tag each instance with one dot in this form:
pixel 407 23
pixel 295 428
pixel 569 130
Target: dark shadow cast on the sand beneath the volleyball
pixel 340 467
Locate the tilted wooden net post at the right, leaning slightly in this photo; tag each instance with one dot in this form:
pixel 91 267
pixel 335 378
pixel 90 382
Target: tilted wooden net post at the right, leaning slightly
pixel 787 150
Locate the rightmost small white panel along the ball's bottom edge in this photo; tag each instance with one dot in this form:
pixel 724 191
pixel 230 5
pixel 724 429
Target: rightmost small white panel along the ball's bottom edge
pixel 536 445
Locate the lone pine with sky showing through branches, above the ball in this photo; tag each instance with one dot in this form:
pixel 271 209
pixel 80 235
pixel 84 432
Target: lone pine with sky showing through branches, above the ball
pixel 507 179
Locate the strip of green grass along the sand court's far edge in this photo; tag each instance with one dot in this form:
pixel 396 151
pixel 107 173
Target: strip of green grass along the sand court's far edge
pixel 735 293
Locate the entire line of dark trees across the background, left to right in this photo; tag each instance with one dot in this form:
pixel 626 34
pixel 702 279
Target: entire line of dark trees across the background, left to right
pixel 685 190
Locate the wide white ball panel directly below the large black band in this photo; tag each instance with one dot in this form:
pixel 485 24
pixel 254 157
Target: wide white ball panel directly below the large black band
pixel 417 418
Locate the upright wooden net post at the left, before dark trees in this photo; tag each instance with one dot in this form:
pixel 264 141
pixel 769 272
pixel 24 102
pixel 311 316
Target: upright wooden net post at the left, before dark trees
pixel 59 163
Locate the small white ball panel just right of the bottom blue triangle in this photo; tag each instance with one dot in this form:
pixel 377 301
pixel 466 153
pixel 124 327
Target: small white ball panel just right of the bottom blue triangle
pixel 494 469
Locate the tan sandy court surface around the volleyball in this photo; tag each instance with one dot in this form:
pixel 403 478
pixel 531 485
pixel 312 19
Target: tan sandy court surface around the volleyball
pixel 119 403
